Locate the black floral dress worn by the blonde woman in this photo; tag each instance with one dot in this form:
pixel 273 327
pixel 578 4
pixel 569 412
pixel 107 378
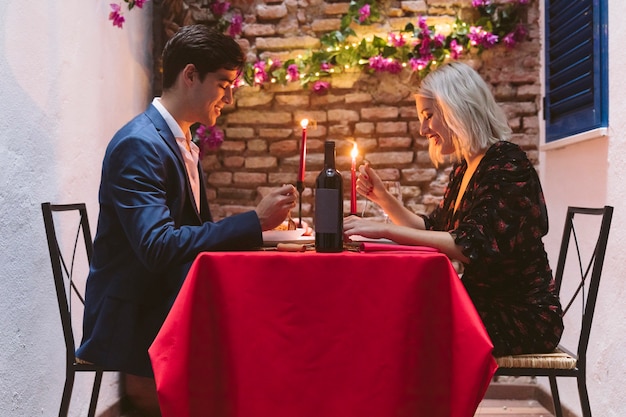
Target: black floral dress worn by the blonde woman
pixel 499 224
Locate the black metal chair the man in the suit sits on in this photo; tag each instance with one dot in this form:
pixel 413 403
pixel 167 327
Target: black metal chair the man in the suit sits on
pixel 67 290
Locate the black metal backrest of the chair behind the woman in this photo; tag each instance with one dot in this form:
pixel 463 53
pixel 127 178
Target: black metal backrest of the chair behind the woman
pixel 585 289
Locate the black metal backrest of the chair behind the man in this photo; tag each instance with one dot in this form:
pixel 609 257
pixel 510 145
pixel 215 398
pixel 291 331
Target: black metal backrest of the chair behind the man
pixel 64 258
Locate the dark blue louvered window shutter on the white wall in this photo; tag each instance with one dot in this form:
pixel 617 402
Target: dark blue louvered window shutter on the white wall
pixel 576 98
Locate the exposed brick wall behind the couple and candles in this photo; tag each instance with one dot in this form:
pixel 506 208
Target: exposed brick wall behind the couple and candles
pixel 262 131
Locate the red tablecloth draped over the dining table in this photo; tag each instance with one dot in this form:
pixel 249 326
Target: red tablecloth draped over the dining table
pixel 274 334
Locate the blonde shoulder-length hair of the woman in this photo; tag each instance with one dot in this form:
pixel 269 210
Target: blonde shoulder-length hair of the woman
pixel 467 107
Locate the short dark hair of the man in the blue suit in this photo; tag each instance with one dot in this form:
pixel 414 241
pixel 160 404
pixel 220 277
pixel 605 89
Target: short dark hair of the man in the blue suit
pixel 207 49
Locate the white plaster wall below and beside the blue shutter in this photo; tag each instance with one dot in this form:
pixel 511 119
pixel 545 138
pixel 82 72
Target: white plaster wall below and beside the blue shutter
pixel 593 173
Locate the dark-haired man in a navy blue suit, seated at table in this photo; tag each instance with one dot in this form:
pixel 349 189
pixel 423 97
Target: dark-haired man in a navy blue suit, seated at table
pixel 154 215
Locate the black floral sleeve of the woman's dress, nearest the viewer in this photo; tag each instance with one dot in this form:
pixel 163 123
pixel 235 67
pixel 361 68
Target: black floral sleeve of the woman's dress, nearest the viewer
pixel 503 212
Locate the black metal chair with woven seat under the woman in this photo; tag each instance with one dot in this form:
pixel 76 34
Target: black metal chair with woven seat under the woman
pixel 563 362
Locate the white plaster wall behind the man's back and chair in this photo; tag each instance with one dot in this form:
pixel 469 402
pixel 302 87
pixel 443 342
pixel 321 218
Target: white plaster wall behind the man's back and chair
pixel 68 80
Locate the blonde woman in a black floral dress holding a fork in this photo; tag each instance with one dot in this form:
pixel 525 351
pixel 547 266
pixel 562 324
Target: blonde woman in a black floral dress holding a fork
pixel 492 216
